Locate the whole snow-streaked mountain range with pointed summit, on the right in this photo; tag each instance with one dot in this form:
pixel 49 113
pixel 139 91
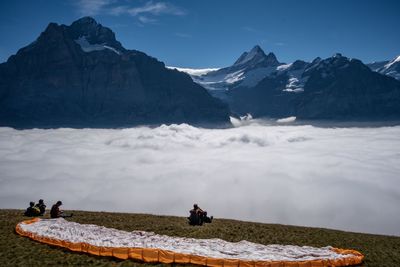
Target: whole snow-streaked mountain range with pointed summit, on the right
pixel 331 88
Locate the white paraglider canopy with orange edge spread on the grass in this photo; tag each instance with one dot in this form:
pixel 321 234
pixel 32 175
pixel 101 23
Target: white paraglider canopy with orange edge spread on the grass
pixel 151 247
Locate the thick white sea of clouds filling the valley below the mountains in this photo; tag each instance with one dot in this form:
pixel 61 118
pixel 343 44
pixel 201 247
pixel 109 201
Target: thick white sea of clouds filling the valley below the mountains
pixel 342 178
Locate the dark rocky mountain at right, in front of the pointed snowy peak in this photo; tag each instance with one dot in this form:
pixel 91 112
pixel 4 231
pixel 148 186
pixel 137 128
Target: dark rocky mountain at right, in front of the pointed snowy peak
pixel 334 88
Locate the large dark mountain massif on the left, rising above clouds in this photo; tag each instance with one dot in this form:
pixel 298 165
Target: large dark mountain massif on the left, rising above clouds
pixel 81 76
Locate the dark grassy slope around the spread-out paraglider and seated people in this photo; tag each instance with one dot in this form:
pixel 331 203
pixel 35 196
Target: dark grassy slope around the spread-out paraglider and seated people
pixel 20 251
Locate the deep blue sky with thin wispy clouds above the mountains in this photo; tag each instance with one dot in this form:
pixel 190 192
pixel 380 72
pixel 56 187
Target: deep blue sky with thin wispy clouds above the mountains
pixel 211 33
